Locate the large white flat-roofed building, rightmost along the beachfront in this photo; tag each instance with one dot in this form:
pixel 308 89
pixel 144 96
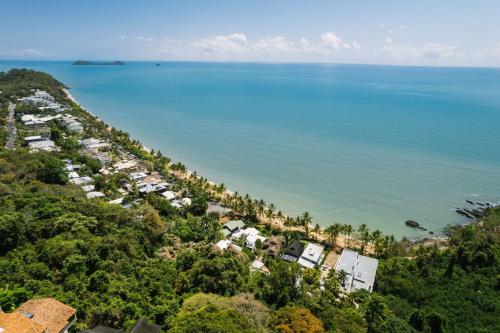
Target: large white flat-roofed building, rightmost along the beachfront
pixel 361 270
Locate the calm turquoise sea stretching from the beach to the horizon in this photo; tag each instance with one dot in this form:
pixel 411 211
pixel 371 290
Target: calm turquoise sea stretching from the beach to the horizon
pixel 348 143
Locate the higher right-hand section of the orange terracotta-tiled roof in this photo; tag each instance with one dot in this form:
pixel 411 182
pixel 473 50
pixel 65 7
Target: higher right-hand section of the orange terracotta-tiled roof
pixel 48 312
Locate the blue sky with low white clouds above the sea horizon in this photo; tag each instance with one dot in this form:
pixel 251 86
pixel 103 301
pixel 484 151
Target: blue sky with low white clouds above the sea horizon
pixel 409 32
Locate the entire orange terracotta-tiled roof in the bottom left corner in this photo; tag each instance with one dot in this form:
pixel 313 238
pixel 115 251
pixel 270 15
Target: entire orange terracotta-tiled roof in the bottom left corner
pixel 45 315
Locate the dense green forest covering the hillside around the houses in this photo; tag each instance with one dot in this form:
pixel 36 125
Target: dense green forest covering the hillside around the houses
pixel 115 265
